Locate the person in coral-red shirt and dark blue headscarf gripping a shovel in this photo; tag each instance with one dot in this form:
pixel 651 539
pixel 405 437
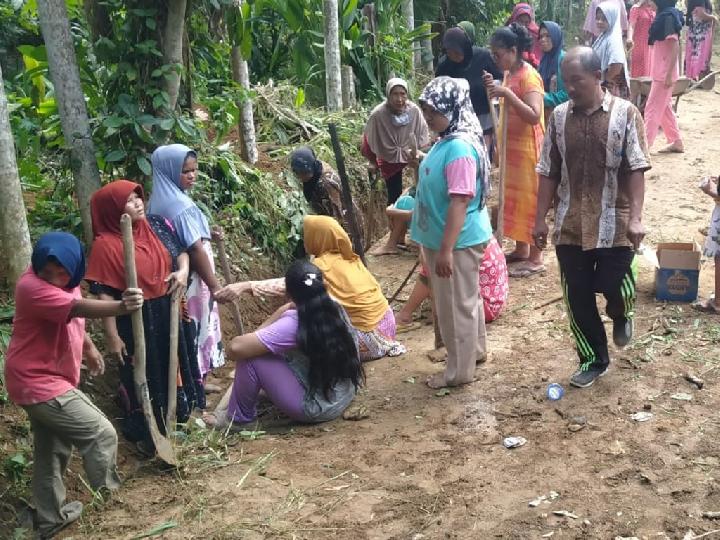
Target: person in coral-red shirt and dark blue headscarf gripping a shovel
pixel 42 372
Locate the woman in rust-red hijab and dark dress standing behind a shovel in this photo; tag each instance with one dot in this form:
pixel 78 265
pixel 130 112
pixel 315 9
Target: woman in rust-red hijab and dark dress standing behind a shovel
pixel 162 268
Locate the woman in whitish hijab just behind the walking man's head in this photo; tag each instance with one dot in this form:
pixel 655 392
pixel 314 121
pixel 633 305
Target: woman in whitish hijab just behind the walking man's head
pixel 610 47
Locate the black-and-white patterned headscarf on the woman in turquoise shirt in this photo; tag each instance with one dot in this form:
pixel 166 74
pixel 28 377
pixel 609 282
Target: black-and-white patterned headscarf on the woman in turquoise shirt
pixel 451 97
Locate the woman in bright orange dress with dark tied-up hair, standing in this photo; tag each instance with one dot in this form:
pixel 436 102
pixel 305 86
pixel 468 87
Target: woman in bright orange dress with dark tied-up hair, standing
pixel 523 96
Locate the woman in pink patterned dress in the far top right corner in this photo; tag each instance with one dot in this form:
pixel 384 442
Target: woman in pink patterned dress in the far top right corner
pixel 698 51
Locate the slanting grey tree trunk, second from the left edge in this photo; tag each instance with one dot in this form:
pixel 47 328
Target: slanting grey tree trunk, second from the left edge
pixel 64 72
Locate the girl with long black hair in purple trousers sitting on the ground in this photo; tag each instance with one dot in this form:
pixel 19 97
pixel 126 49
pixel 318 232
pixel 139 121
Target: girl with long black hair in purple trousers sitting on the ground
pixel 304 357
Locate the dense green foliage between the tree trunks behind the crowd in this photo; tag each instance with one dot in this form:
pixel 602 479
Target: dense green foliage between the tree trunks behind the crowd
pixel 118 46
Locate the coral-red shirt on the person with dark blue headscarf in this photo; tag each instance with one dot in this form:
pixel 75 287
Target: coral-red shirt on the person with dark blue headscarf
pixel 45 352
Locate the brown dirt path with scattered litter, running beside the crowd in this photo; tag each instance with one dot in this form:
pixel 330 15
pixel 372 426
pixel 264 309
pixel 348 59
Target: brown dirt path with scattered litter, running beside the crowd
pixel 423 466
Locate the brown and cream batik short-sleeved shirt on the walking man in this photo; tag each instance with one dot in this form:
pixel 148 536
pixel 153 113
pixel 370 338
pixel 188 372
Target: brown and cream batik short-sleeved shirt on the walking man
pixel 591 158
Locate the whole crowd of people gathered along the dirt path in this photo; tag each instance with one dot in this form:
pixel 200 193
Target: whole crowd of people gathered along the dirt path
pixel 563 110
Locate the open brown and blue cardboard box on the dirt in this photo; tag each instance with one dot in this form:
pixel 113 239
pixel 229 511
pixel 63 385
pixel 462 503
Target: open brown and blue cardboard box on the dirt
pixel 677 272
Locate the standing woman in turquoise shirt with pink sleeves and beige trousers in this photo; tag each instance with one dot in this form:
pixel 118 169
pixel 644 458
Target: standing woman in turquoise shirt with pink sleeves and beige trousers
pixel 452 225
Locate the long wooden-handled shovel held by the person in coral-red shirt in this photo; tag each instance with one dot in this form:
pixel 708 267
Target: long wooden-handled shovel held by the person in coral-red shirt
pixel 162 445
